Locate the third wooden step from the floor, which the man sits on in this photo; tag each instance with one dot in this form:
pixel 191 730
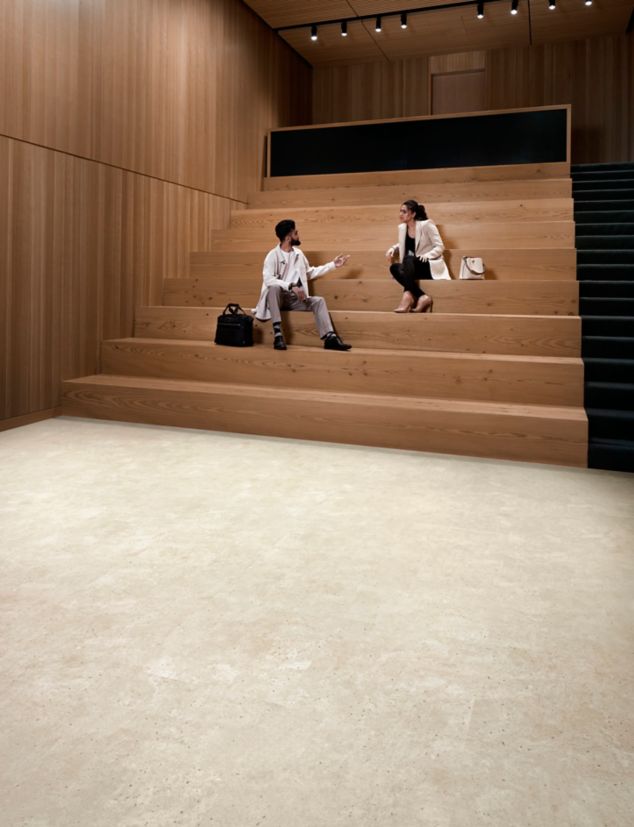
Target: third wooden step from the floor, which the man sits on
pixel 462 333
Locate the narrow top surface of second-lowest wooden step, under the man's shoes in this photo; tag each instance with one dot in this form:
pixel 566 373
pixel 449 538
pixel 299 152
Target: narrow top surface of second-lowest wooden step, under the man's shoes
pixel 447 355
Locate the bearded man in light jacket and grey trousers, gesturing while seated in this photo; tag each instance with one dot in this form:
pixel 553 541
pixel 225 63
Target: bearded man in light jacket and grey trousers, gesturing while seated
pixel 286 273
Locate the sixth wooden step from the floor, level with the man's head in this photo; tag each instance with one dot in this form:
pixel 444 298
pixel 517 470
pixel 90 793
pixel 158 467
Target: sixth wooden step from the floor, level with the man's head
pixel 501 235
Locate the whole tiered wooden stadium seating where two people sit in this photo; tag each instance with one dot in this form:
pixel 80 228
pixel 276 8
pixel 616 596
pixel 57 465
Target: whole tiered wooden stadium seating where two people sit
pixel 493 371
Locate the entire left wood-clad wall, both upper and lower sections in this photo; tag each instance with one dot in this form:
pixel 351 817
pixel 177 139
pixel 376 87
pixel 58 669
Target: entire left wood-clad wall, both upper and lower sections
pixel 127 131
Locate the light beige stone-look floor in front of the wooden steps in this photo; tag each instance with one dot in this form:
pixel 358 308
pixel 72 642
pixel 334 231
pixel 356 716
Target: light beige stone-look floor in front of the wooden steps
pixel 214 629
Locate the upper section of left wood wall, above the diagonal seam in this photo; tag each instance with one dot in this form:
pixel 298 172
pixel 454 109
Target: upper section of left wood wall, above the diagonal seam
pixel 182 90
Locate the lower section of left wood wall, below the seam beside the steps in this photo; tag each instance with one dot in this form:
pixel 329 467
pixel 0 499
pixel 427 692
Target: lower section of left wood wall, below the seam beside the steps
pixel 85 243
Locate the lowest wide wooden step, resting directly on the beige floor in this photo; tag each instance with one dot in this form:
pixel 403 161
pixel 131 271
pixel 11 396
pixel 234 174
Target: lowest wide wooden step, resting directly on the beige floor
pixel 518 432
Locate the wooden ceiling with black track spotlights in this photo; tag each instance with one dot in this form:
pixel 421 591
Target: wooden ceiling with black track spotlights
pixel 433 32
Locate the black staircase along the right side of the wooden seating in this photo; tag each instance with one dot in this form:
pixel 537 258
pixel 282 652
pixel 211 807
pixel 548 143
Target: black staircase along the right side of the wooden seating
pixel 604 215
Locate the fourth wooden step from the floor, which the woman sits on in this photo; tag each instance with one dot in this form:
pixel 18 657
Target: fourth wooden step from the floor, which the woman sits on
pixel 532 298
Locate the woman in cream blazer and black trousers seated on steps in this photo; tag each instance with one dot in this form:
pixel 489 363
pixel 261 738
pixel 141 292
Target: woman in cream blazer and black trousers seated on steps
pixel 419 242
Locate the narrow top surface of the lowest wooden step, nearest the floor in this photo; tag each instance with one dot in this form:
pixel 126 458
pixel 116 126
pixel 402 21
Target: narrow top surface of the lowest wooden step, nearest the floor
pixel 435 404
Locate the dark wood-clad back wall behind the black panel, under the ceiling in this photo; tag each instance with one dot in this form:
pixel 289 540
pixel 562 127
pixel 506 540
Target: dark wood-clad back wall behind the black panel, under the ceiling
pixel 595 75
